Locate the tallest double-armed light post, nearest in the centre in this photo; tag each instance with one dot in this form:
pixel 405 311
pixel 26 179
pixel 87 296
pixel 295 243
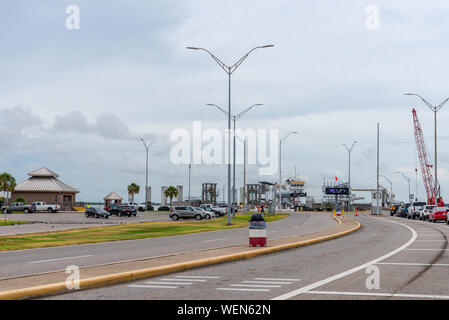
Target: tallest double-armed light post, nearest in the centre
pixel 229 70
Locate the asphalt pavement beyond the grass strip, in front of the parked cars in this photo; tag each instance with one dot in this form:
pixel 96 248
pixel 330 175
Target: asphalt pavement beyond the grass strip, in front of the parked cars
pixel 43 222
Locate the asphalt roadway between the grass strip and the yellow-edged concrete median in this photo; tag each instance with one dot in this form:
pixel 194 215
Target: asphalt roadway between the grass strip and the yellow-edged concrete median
pixel 25 262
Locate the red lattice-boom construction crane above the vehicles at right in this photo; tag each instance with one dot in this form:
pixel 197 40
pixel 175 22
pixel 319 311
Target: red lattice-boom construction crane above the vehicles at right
pixel 429 184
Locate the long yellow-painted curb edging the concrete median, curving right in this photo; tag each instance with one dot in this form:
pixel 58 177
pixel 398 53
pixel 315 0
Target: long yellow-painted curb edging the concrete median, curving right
pixel 59 288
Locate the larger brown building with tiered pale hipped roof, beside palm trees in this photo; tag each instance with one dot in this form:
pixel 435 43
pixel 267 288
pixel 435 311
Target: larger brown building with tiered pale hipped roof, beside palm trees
pixel 43 185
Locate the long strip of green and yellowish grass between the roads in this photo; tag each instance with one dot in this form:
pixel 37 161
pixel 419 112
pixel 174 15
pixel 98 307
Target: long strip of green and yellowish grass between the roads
pixel 123 232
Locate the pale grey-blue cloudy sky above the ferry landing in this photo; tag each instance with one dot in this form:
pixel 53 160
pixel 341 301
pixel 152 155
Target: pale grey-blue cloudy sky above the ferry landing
pixel 78 101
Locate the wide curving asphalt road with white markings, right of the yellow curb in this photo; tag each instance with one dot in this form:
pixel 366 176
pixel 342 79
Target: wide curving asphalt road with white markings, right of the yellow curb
pixel 412 259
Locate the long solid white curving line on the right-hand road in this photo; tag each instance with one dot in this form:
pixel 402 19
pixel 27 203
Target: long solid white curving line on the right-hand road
pixel 350 271
